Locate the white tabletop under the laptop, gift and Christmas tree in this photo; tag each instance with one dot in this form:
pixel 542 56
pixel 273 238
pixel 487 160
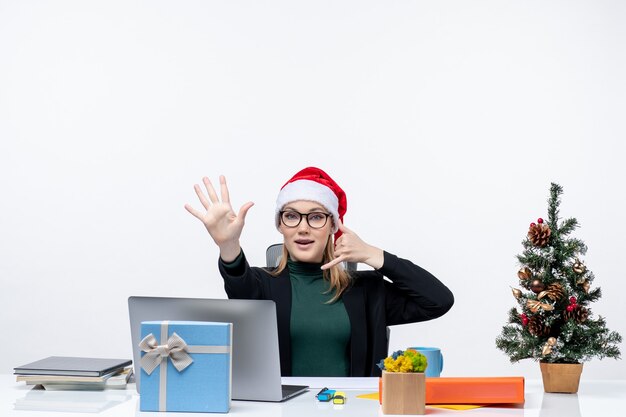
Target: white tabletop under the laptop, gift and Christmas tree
pixel 594 399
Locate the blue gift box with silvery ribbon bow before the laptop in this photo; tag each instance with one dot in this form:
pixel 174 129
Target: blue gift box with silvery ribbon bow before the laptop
pixel 185 366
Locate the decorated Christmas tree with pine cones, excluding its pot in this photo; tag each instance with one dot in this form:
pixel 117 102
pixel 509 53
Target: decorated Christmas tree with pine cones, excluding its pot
pixel 554 322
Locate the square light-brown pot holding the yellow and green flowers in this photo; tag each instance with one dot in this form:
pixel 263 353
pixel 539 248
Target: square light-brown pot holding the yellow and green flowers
pixel 404 393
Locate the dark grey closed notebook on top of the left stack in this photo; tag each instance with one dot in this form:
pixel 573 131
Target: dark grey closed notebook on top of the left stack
pixel 72 366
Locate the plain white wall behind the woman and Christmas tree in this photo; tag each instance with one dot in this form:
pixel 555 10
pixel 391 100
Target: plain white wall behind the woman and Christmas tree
pixel 445 122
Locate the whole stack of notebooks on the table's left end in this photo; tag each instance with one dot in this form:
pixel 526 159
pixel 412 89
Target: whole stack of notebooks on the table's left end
pixel 75 373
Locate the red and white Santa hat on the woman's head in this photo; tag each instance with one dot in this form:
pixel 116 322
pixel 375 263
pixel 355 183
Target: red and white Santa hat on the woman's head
pixel 313 184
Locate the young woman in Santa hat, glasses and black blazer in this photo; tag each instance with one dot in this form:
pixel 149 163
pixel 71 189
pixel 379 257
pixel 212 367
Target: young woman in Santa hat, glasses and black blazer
pixel 331 322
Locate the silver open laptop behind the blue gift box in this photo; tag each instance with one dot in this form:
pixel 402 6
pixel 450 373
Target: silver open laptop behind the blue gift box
pixel 256 361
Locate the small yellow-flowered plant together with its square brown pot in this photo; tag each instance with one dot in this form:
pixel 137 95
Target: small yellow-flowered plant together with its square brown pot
pixel 404 383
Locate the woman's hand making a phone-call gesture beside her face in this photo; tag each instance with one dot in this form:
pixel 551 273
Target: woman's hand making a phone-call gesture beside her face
pixel 350 248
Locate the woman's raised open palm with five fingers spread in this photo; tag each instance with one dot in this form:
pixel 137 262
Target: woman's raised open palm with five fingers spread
pixel 220 220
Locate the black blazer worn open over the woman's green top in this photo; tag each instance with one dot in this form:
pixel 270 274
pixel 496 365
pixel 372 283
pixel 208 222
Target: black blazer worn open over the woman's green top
pixel 372 303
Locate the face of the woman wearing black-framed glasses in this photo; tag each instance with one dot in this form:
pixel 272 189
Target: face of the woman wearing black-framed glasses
pixel 304 243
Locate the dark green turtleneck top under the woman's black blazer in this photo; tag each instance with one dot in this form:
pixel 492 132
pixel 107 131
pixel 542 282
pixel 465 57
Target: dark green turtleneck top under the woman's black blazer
pixel 320 332
